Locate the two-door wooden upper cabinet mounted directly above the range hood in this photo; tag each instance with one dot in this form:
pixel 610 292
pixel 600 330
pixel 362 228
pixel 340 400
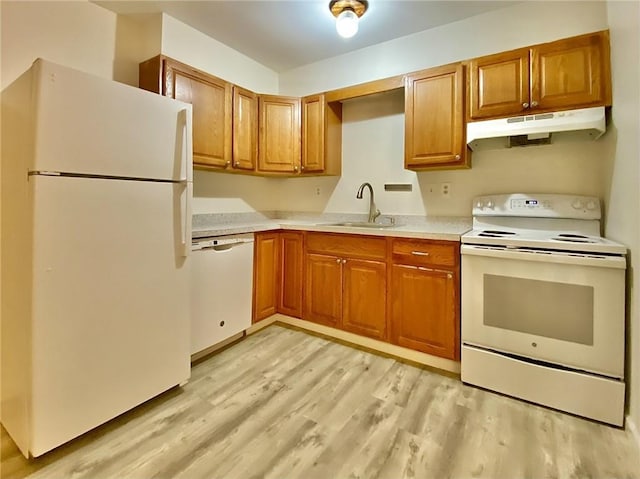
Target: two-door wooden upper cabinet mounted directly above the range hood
pixel 561 75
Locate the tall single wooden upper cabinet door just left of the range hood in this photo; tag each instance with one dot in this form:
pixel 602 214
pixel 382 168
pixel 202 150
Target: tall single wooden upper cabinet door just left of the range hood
pixel 434 122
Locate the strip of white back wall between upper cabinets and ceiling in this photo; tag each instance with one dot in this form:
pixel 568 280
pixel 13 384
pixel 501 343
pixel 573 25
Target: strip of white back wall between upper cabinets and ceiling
pixel 499 30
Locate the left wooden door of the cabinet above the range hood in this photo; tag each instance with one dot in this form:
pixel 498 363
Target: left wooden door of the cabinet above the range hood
pixel 499 85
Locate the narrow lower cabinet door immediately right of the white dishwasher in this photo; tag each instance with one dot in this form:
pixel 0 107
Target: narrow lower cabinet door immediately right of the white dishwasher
pixel 265 270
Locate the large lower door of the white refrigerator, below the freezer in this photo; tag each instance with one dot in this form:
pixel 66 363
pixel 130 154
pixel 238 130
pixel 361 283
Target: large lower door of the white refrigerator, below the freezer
pixel 110 301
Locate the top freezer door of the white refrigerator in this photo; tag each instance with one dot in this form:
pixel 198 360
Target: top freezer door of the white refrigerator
pixel 91 125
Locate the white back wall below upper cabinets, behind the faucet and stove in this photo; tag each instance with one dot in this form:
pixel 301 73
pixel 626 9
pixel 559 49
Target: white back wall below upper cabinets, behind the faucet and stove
pixel 373 151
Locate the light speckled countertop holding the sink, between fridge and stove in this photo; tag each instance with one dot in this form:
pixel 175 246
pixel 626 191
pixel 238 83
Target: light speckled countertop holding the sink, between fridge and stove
pixel 437 227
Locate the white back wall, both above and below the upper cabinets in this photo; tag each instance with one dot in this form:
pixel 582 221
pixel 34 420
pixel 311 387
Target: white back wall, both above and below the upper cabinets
pixel 373 129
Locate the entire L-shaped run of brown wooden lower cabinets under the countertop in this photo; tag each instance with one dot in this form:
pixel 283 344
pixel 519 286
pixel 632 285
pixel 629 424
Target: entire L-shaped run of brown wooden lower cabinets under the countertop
pixel 402 290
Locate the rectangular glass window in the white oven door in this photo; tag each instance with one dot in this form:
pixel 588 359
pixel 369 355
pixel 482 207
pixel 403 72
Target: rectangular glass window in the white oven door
pixel 541 308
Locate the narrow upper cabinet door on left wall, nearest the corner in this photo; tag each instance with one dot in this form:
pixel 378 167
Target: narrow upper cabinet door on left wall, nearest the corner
pixel 245 129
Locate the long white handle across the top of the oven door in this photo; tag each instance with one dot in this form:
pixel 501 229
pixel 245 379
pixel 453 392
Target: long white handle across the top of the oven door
pixel 560 257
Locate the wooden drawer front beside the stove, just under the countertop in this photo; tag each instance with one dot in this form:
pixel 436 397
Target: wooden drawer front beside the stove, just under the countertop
pixel 421 252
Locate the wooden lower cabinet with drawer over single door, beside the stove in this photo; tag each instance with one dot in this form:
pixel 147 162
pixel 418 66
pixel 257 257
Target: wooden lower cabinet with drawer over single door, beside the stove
pixel 425 296
